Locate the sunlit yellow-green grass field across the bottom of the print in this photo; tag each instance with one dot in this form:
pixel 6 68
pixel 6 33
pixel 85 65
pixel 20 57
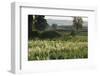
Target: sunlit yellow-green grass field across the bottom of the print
pixel 71 48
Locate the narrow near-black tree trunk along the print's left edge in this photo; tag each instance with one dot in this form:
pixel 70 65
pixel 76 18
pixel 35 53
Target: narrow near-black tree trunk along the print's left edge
pixel 30 23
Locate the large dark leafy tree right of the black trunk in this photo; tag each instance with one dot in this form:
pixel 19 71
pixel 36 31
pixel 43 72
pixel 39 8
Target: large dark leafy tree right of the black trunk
pixel 40 22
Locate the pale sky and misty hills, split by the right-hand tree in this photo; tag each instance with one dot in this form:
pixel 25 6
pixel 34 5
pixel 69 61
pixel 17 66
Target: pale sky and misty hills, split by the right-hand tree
pixel 62 20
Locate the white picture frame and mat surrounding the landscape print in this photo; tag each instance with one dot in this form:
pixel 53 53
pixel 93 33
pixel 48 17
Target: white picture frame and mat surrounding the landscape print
pixel 19 62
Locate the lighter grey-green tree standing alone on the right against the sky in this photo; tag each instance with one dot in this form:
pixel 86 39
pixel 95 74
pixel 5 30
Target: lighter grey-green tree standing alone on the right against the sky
pixel 77 23
